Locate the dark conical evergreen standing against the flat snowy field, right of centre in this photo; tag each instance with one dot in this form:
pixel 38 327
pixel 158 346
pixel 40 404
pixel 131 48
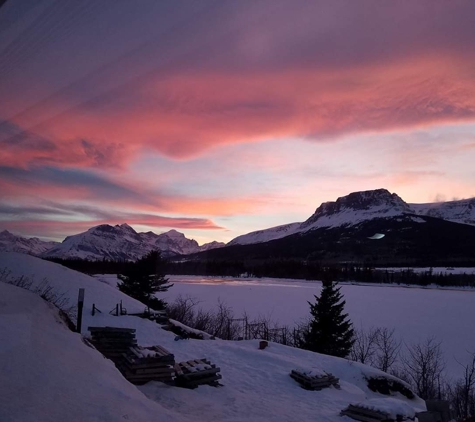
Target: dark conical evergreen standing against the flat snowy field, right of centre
pixel 330 332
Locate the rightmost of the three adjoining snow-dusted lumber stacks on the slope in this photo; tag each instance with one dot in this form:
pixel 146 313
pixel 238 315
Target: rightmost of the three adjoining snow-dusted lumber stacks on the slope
pixel 197 372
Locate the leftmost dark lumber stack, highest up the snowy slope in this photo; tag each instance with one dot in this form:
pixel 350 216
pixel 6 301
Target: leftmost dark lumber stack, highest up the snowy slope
pixel 112 342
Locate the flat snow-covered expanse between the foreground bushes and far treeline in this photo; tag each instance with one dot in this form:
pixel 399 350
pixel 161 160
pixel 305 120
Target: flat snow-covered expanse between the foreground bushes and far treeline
pixel 415 313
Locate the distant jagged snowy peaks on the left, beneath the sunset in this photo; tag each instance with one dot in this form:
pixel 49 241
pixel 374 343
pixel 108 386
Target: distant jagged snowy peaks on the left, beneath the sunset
pixel 123 242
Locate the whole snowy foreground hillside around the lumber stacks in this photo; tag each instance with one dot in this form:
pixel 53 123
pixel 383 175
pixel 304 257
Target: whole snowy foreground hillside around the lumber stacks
pixel 53 363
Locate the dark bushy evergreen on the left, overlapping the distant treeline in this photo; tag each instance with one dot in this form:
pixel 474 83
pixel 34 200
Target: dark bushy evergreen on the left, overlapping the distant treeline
pixel 145 277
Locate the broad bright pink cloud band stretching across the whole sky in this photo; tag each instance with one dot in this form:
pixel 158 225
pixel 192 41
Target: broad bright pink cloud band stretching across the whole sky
pixel 183 115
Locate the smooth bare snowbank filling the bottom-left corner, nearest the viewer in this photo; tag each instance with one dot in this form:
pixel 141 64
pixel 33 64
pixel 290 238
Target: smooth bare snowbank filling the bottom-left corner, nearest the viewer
pixel 48 374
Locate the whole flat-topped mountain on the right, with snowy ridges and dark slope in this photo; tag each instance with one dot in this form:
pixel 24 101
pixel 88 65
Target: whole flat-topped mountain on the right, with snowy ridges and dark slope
pixel 340 231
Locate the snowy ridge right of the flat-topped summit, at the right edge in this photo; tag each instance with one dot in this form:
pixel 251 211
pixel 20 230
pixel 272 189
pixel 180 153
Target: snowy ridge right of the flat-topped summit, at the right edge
pixel 462 211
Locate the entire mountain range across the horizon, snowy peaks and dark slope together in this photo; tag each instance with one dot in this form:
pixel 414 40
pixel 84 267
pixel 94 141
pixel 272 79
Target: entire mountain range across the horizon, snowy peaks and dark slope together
pixel 338 230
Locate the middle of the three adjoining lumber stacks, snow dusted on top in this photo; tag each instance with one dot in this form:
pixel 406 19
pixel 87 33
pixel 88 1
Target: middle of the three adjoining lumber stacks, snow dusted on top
pixel 143 364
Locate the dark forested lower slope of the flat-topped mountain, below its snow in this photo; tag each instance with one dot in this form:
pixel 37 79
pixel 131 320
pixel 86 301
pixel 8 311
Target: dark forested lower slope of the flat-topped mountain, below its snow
pixel 408 240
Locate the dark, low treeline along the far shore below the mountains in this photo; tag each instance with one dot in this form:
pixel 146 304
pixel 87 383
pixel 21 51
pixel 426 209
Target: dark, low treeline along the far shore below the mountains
pixel 283 268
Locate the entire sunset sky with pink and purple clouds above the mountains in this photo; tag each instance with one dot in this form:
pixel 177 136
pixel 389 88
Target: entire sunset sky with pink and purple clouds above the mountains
pixel 217 118
